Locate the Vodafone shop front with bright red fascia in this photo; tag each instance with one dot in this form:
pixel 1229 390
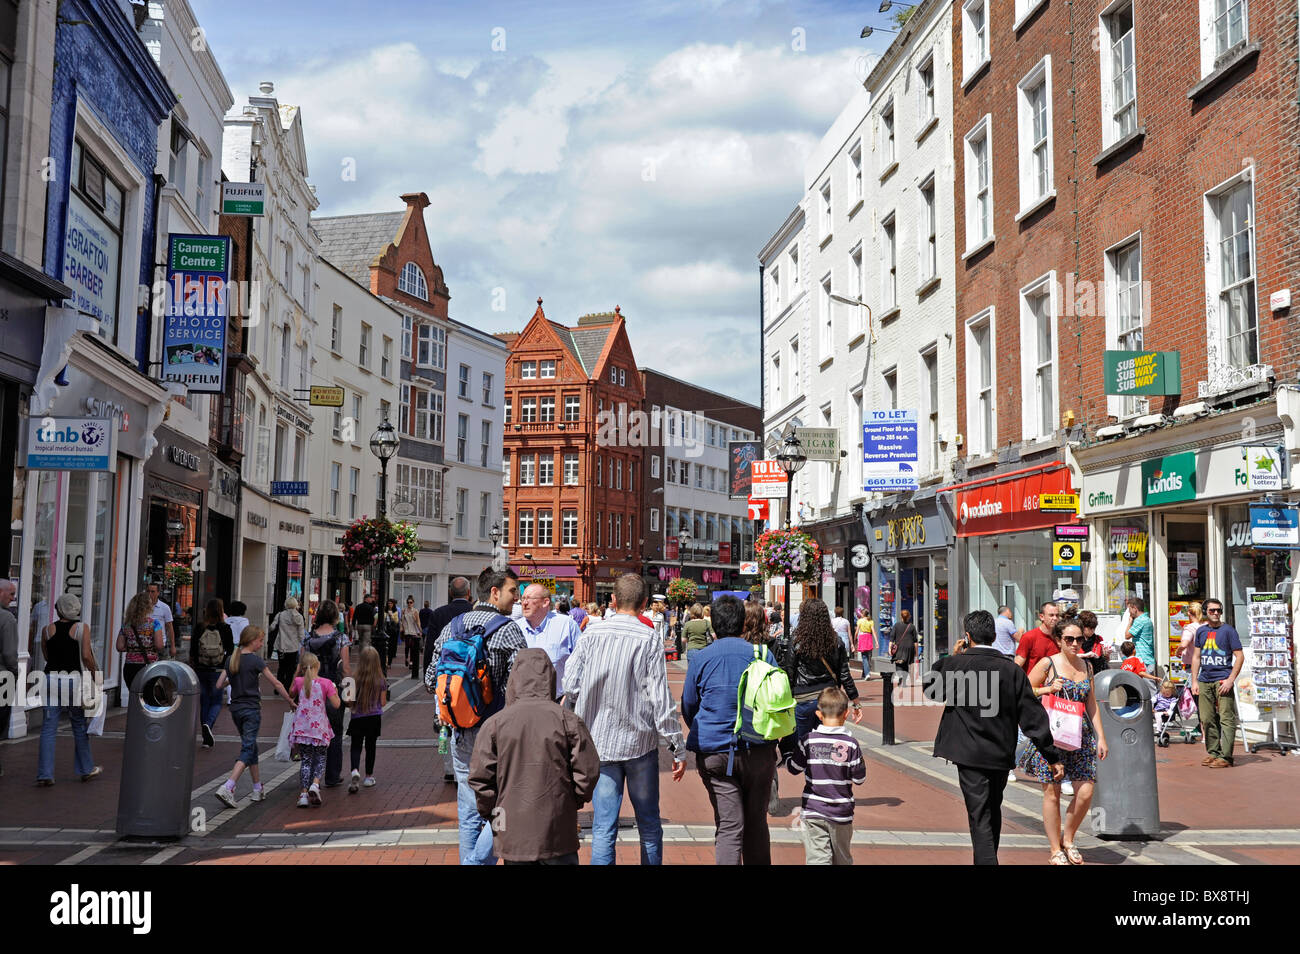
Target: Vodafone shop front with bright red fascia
pixel 1006 544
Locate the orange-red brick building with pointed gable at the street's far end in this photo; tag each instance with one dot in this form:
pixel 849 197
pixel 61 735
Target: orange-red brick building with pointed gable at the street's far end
pixel 573 488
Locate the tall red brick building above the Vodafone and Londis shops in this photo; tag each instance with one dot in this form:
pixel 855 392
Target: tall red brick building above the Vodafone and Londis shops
pixel 1126 180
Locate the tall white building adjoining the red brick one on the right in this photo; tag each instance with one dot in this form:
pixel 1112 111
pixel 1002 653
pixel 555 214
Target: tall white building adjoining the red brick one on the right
pixel 859 305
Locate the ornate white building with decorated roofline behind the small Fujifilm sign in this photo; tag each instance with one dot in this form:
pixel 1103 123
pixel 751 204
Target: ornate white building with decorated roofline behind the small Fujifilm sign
pixel 265 144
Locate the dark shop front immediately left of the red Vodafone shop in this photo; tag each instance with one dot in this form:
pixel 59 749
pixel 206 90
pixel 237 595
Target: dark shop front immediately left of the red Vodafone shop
pixel 911 548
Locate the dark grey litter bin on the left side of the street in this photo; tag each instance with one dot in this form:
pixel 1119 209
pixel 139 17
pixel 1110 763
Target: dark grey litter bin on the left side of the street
pixel 158 765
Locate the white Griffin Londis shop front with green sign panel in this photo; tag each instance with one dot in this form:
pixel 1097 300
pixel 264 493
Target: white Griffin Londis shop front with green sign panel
pixel 1171 517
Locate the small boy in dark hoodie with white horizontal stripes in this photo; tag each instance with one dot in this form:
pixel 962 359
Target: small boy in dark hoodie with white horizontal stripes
pixel 831 761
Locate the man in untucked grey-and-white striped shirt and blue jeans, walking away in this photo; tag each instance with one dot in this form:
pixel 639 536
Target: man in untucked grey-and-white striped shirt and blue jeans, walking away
pixel 618 683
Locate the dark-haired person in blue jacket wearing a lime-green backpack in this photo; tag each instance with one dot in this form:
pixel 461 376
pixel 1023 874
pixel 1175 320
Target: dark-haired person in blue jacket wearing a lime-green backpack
pixel 736 774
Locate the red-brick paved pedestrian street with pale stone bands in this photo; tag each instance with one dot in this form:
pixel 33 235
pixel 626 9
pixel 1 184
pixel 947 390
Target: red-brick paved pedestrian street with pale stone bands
pixel 909 813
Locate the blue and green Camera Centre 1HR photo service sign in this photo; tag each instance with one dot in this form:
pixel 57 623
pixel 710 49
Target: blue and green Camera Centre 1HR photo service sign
pixel 194 335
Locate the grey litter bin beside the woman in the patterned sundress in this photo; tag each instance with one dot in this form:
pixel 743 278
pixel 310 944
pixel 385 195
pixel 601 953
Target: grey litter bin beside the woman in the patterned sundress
pixel 1126 804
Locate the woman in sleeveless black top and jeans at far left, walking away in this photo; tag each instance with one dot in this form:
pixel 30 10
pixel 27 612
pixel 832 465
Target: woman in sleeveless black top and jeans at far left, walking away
pixel 70 662
